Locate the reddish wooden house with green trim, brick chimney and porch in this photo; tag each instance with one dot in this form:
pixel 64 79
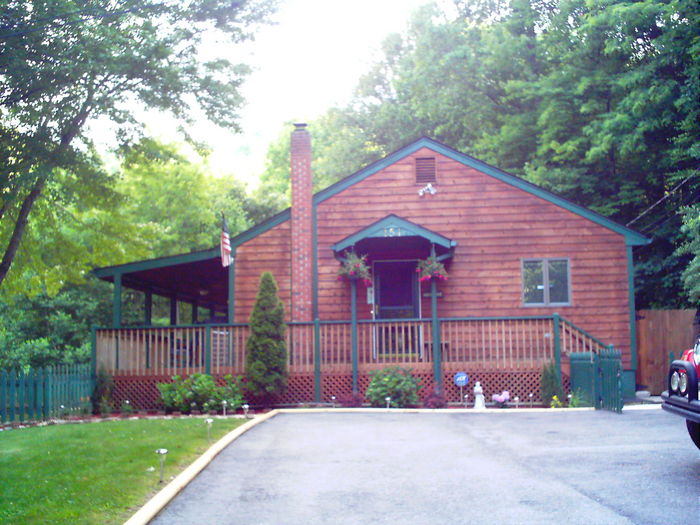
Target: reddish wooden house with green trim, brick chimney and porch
pixel 532 277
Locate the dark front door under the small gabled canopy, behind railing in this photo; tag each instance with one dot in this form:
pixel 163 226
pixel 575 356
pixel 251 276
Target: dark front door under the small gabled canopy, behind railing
pixel 396 291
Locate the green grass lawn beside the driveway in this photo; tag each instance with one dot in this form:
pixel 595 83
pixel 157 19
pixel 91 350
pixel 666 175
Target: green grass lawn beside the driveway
pixel 94 472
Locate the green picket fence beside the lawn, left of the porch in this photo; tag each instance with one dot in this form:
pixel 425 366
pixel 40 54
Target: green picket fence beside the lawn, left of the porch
pixel 44 393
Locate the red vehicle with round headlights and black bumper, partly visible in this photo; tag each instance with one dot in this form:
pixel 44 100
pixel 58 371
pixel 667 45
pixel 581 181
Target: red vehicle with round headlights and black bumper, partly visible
pixel 682 395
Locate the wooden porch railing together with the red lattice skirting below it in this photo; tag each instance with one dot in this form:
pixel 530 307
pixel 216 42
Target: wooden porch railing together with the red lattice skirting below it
pixel 329 359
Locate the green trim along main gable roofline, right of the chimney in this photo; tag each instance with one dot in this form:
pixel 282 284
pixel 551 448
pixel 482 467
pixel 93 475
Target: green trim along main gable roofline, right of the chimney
pixel 632 237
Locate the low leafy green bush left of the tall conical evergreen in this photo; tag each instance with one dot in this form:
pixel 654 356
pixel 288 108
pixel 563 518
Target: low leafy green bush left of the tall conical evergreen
pixel 199 392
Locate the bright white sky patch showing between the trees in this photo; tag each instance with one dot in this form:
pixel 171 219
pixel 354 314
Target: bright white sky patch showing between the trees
pixel 310 61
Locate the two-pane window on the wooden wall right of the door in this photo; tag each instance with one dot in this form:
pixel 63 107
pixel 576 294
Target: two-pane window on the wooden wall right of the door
pixel 546 282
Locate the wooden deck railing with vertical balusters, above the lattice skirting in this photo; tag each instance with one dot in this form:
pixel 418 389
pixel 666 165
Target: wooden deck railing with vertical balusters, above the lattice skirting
pixel 489 342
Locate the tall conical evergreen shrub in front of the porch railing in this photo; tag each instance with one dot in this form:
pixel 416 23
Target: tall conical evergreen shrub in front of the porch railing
pixel 266 357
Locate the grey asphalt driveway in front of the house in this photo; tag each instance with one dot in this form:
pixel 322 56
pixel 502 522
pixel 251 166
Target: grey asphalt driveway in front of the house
pixel 433 468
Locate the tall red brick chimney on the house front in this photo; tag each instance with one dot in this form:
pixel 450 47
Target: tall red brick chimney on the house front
pixel 301 224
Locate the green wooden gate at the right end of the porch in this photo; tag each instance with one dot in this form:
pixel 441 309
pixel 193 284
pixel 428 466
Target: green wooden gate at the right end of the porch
pixel 597 378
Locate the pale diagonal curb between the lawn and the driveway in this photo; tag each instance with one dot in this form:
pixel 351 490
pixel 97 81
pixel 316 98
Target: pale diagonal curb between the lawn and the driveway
pixel 149 511
